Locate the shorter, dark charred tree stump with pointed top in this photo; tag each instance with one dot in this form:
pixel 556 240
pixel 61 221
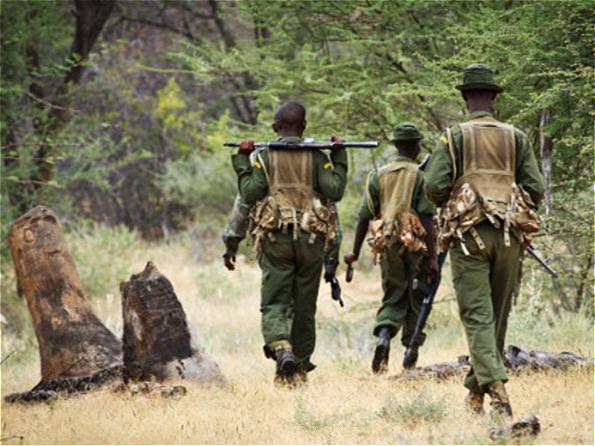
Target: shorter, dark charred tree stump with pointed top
pixel 157 342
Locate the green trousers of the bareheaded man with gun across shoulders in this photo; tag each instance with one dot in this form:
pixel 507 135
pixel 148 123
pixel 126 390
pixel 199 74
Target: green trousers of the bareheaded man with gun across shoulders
pixel 291 271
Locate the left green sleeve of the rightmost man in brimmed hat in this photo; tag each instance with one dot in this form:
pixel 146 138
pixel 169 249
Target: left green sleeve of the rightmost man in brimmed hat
pixel 438 175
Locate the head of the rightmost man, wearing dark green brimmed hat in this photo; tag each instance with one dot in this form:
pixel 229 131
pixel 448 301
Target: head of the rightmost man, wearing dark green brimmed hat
pixel 479 87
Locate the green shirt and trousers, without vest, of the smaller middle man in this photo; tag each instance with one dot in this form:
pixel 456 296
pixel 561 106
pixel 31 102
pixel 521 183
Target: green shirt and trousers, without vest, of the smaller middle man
pixel 400 305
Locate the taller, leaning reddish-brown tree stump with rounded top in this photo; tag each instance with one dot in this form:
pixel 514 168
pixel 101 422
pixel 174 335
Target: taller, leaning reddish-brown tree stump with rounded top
pixel 73 344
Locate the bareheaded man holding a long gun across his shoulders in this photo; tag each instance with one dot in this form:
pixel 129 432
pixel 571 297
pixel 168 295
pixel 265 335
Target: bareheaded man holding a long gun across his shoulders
pixel 293 225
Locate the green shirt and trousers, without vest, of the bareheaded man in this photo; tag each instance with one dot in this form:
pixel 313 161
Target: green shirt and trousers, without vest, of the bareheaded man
pixel 291 265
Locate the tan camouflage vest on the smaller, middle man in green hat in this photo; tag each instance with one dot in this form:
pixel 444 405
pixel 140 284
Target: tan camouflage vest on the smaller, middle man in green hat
pixel 398 222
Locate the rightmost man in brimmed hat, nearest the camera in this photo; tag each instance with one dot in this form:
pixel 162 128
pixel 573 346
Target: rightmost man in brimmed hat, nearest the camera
pixel 484 175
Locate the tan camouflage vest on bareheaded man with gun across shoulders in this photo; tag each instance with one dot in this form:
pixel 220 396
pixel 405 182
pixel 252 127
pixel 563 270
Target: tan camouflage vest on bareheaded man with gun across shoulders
pixel 292 201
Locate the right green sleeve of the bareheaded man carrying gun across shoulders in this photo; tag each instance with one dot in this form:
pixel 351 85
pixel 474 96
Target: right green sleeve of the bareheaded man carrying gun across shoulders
pixel 331 175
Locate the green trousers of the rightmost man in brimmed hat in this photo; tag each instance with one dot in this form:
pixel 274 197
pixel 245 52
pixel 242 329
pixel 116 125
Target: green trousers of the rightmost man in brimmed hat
pixel 484 282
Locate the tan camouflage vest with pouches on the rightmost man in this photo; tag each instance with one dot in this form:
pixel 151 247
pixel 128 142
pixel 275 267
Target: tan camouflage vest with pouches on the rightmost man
pixel 486 188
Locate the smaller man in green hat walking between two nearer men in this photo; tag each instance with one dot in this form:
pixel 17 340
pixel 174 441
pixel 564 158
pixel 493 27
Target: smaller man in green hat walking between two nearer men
pixel 402 234
